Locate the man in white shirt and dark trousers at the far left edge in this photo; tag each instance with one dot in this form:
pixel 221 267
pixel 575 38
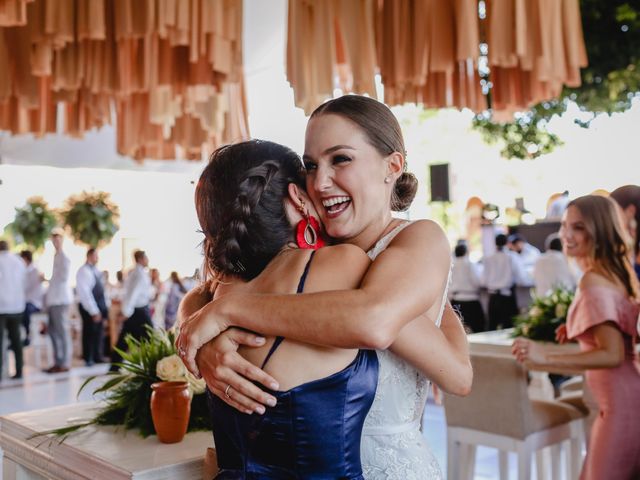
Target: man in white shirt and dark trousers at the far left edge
pixel 13 280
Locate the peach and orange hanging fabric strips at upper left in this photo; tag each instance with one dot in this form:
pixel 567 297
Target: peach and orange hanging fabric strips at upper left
pixel 168 71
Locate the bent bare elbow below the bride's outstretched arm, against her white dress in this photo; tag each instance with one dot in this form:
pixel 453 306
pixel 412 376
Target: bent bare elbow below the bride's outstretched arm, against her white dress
pixel 441 354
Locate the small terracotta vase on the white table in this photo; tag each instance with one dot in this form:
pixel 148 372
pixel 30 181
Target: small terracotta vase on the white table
pixel 170 410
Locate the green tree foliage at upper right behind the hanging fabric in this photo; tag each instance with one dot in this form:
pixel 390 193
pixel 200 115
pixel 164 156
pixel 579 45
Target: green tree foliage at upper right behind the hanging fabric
pixel 610 82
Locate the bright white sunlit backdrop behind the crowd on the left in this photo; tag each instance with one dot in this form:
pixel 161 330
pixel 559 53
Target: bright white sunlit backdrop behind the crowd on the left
pixel 157 213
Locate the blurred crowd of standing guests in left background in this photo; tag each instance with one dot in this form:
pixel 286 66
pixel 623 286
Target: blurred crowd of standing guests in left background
pixel 101 312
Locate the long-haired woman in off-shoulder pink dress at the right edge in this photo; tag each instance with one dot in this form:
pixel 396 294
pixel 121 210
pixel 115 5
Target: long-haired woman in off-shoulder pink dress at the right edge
pixel 603 319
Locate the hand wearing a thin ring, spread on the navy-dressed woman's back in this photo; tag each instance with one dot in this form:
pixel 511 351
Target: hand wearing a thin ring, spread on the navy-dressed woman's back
pixel 228 375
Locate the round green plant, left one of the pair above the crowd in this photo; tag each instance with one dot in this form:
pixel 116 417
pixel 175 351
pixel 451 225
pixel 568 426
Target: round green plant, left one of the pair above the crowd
pixel 33 223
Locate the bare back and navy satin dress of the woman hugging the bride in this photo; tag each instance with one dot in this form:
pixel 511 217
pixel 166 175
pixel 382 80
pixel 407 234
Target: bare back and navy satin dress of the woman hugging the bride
pixel 314 430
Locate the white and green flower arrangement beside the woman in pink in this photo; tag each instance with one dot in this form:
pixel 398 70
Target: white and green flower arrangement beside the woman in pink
pixel 544 316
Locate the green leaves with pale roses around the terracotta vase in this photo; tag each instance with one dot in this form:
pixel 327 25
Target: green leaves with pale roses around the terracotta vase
pixel 128 392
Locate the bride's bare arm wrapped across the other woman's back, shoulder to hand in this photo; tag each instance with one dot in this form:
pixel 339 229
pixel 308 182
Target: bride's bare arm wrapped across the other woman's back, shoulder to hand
pixel 397 288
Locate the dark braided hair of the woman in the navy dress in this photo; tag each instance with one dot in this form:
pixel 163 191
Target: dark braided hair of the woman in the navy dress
pixel 240 205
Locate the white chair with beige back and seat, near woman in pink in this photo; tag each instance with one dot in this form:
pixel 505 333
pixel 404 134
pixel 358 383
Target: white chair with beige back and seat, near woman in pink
pixel 498 413
